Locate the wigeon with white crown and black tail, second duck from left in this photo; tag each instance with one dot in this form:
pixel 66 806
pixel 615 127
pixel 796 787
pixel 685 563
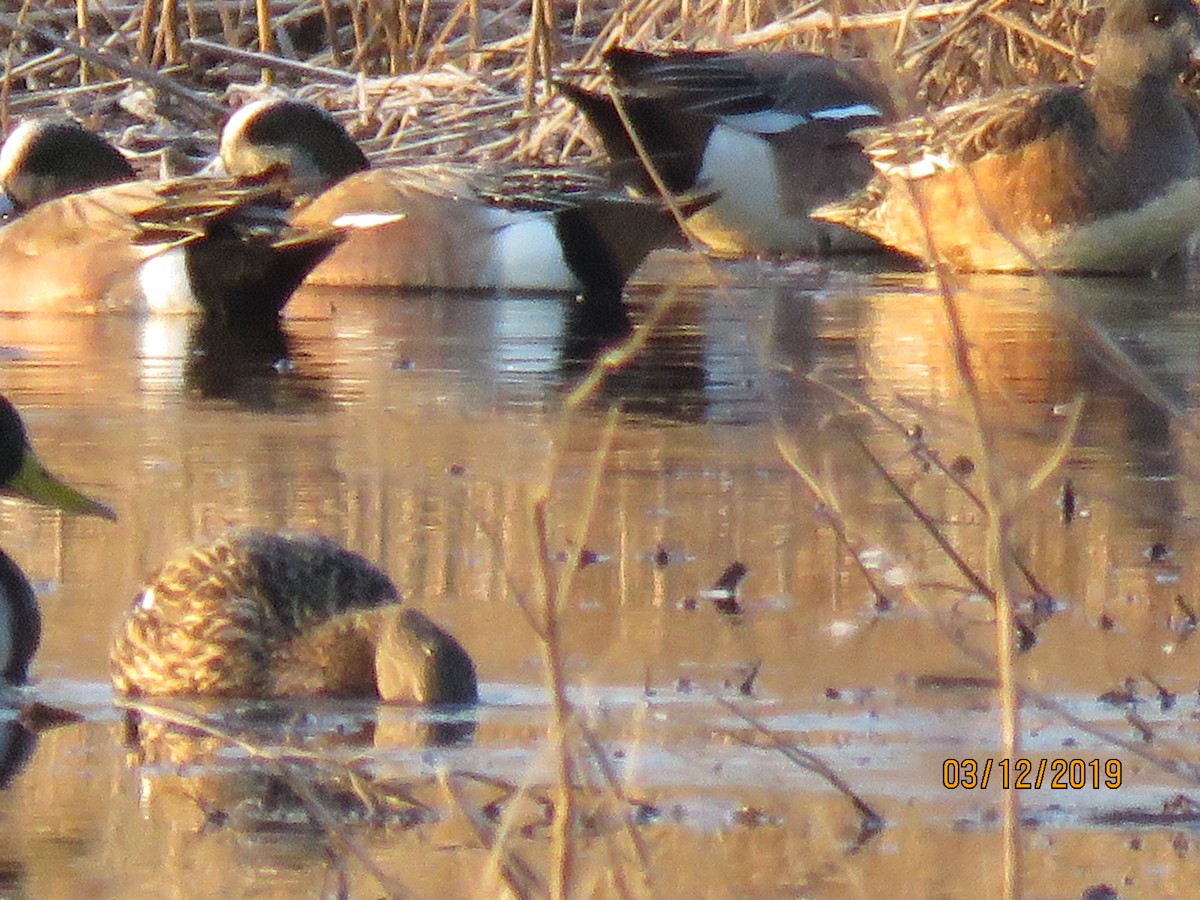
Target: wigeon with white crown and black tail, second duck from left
pixel 451 235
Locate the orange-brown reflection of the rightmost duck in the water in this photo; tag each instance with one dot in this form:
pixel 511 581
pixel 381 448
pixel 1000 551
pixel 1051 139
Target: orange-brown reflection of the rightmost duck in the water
pixel 1035 346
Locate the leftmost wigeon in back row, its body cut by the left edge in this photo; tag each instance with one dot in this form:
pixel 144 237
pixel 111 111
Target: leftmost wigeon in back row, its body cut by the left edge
pixel 86 235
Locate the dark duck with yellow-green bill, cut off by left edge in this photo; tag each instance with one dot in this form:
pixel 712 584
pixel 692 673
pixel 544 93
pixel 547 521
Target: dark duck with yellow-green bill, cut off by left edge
pixel 23 476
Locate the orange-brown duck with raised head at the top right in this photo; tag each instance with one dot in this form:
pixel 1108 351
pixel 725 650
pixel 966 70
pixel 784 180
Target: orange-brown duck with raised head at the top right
pixel 1102 178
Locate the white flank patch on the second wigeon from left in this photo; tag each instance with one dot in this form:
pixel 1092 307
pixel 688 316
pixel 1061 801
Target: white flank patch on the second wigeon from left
pixel 526 254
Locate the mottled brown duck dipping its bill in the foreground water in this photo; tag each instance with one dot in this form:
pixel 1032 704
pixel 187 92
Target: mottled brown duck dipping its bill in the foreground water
pixel 268 615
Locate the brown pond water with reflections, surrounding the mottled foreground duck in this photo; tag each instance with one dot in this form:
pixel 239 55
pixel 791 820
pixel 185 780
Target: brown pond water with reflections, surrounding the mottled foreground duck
pixel 417 430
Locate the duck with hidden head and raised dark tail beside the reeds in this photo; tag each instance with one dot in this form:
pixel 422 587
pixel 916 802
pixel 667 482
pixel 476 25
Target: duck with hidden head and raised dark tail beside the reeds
pixel 767 131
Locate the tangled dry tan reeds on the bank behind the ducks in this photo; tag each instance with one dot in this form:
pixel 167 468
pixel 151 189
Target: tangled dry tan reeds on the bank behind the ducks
pixel 469 80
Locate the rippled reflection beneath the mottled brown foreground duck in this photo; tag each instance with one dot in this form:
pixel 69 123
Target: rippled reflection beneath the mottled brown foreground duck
pixel 298 771
